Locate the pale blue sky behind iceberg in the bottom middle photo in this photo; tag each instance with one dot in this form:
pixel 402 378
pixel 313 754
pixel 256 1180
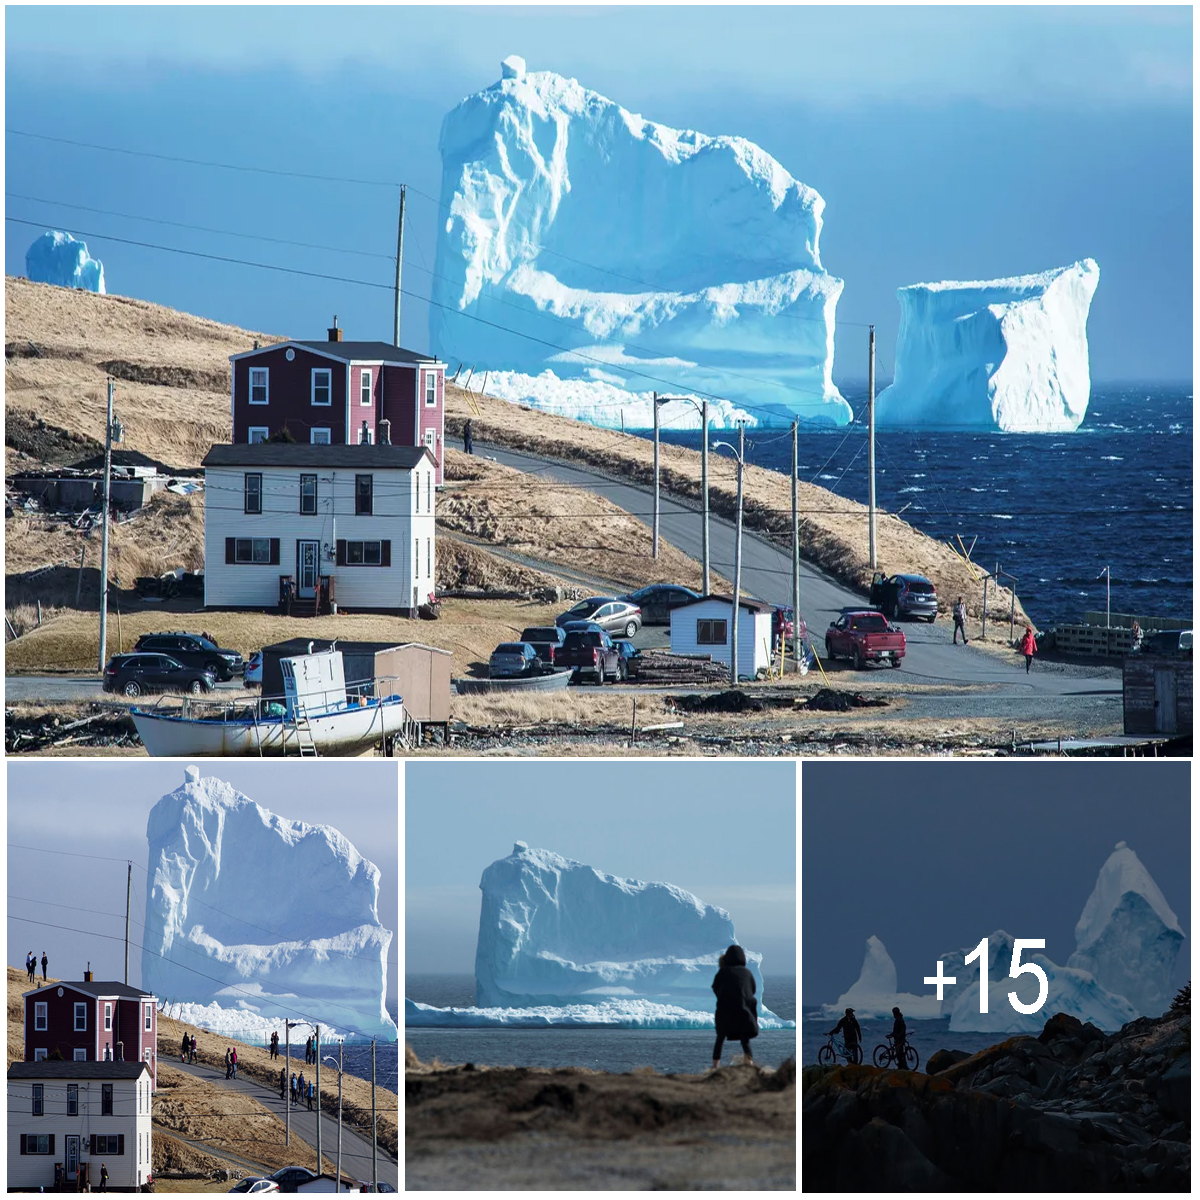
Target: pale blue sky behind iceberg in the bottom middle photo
pixel 724 831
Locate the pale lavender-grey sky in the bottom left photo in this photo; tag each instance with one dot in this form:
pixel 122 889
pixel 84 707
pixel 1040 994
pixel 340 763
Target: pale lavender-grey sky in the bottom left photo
pixel 98 808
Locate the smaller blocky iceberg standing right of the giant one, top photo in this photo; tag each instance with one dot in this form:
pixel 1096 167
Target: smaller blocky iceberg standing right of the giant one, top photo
pixel 1004 355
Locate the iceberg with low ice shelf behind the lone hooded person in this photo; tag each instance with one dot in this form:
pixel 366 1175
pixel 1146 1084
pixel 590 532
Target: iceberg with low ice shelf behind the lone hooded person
pixel 566 944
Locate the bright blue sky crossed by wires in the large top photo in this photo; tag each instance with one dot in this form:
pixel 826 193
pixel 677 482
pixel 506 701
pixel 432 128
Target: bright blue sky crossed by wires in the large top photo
pixel 949 143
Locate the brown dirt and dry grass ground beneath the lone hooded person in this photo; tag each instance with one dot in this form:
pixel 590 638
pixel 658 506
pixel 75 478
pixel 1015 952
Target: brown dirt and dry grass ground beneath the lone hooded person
pixel 505 1129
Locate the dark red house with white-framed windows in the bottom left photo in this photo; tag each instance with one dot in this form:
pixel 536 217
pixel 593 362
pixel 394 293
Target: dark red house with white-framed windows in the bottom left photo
pixel 93 1022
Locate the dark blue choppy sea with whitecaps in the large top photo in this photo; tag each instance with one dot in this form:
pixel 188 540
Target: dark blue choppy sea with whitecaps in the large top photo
pixel 1052 509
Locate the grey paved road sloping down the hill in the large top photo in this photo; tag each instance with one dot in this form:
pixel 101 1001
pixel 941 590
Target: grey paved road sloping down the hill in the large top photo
pixel 767 573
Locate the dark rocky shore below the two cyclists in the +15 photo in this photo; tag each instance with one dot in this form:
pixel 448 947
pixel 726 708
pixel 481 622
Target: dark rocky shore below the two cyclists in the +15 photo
pixel 1073 1109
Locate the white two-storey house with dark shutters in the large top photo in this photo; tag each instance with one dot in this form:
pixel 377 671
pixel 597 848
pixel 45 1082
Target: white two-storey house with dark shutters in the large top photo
pixel 361 517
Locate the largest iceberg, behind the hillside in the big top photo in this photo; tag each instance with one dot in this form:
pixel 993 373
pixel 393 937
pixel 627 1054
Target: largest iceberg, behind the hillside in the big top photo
pixel 584 239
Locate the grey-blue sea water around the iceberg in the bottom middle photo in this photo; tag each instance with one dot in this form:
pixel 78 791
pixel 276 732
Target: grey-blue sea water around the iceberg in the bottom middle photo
pixel 602 1049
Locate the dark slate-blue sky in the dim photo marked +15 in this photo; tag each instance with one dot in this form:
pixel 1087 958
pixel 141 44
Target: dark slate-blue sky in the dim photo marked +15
pixel 933 857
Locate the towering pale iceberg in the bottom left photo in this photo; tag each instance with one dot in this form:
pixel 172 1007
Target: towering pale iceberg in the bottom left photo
pixel 253 911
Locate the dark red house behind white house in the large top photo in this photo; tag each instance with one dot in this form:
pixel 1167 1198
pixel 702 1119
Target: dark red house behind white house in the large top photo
pixel 337 393
